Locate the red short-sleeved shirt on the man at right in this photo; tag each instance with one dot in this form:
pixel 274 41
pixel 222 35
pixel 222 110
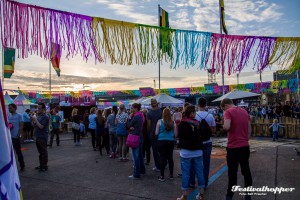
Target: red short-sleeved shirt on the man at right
pixel 238 132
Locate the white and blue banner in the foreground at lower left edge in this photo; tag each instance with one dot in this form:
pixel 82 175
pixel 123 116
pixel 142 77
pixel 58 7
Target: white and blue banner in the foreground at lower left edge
pixel 9 179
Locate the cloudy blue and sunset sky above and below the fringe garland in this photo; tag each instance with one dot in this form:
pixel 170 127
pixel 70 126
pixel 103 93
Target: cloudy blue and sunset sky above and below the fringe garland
pixel 243 17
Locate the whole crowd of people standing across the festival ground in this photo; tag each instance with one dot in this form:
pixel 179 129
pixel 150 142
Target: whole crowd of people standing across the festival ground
pixel 157 130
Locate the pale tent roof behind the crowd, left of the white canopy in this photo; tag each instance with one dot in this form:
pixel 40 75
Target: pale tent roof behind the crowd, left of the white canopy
pixel 164 100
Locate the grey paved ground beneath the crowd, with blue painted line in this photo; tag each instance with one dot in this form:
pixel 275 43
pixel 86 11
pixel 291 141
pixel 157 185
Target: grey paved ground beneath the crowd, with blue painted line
pixel 80 173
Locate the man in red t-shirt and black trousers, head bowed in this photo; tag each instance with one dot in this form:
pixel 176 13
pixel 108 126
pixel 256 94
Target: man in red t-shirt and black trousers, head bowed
pixel 238 126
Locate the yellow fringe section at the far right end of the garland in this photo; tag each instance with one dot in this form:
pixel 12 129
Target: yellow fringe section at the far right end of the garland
pixel 286 52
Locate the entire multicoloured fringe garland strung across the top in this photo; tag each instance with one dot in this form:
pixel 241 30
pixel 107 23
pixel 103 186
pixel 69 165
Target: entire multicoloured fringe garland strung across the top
pixel 32 29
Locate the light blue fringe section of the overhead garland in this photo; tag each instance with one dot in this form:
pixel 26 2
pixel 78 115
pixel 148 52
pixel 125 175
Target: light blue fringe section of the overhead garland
pixel 191 47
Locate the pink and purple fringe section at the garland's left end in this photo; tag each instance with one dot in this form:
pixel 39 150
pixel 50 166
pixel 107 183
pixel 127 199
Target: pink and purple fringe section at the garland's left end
pixel 31 29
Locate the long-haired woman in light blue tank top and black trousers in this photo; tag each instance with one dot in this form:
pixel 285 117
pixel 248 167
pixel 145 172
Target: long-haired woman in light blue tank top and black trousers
pixel 166 129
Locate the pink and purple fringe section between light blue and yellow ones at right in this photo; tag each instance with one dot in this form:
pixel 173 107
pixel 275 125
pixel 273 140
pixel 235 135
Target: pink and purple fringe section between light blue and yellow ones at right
pixel 232 52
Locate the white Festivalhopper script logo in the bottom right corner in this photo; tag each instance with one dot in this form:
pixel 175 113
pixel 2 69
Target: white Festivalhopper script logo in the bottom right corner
pixel 259 190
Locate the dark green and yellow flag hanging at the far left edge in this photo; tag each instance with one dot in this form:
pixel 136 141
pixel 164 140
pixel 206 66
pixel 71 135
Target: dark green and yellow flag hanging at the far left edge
pixel 9 62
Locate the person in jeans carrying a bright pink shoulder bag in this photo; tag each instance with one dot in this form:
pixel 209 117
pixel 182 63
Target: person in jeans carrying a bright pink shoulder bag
pixel 136 121
